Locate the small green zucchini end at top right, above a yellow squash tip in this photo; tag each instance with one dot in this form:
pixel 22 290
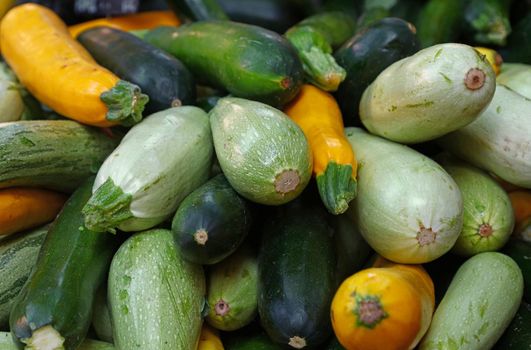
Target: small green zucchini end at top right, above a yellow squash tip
pixel 487 21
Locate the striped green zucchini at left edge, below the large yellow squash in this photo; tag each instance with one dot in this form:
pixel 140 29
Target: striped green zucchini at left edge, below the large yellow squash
pixel 46 153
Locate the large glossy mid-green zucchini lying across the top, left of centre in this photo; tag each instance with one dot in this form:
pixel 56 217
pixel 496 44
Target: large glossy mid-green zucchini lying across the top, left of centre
pixel 220 53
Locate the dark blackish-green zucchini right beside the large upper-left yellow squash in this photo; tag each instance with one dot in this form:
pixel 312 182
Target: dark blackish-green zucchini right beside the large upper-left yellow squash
pixel 166 81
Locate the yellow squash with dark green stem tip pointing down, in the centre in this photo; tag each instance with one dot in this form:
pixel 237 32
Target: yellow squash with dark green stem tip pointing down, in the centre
pixel 317 113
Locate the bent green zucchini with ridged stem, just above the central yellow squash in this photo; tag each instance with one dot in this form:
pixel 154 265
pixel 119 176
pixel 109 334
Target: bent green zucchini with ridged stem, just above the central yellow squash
pixel 314 39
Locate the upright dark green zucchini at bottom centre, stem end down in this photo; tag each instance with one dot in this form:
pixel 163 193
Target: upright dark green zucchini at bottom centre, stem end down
pixel 296 273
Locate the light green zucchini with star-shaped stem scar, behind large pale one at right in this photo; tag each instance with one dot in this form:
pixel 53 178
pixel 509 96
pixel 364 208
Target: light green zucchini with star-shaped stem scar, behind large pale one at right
pixel 488 218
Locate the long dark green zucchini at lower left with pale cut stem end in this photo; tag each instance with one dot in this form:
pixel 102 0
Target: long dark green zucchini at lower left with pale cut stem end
pixel 55 304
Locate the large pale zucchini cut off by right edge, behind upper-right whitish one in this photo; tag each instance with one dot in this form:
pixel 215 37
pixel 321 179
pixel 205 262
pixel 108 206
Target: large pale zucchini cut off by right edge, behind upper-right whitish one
pixel 497 141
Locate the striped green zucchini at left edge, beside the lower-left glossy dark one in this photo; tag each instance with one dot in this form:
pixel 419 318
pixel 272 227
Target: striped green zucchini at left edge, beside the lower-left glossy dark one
pixel 18 255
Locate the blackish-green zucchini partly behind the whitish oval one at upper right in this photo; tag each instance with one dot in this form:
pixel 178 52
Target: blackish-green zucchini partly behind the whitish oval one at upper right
pixel 366 55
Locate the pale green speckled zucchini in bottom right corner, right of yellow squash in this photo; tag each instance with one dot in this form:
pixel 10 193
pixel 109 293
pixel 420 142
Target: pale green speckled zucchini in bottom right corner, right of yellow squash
pixel 479 305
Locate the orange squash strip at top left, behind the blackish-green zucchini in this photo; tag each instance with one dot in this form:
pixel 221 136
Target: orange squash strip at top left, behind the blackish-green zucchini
pixel 139 21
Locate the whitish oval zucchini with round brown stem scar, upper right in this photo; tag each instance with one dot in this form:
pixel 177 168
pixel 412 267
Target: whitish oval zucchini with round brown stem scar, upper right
pixel 402 107
